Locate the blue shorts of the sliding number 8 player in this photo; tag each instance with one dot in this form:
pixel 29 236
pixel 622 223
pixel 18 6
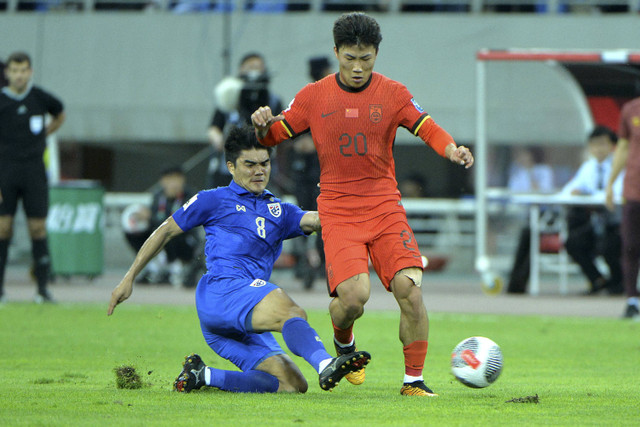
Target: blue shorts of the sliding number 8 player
pixel 224 308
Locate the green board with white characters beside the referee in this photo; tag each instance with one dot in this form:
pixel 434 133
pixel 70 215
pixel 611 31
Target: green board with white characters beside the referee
pixel 75 228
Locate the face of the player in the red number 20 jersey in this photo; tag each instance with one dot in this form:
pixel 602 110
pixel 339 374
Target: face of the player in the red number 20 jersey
pixel 356 64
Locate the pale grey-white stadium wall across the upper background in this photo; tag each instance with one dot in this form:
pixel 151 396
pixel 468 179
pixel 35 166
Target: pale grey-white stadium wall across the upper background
pixel 130 76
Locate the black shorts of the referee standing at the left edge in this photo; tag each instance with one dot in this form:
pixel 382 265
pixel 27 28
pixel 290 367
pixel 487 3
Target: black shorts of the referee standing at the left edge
pixel 26 180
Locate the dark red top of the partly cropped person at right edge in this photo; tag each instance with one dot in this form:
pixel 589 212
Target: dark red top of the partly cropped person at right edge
pixel 630 130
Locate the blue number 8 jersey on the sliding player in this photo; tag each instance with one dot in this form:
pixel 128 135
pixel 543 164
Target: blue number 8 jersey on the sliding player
pixel 244 232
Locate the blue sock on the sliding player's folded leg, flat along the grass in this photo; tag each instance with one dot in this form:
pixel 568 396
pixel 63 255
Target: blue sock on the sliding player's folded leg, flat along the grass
pixel 242 382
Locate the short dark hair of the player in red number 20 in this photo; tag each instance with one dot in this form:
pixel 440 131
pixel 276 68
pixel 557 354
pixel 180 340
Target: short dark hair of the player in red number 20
pixel 356 29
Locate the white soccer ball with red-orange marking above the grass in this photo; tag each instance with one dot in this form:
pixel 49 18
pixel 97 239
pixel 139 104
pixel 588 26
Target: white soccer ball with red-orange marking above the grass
pixel 476 362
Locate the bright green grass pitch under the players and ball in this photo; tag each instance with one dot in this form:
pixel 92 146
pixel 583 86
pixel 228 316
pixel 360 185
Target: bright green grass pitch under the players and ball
pixel 57 367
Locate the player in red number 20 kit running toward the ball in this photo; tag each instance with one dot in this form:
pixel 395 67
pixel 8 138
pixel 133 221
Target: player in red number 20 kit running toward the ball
pixel 353 116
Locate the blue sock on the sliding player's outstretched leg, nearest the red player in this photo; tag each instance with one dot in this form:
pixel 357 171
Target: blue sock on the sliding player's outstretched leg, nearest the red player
pixel 303 341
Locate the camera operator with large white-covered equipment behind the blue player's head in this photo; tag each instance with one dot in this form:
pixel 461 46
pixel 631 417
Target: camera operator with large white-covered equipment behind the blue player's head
pixel 237 98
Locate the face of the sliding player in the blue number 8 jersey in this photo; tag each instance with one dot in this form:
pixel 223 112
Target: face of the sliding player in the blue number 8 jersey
pixel 252 170
